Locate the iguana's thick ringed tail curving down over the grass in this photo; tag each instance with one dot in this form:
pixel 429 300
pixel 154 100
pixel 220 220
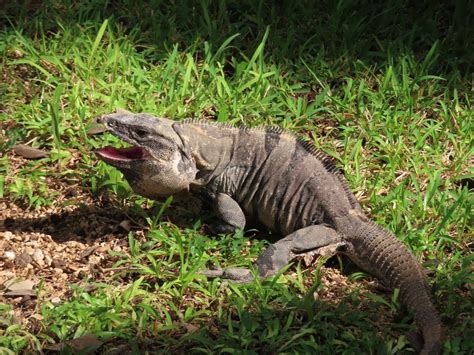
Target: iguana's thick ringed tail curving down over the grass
pixel 383 255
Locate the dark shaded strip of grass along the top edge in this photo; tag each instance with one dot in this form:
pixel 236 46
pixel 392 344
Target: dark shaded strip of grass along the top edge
pixel 344 32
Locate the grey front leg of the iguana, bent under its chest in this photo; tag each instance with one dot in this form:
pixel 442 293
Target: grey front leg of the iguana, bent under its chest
pixel 230 215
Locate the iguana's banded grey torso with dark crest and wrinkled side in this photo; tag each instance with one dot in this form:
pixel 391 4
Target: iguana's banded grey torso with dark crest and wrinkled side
pixel 276 178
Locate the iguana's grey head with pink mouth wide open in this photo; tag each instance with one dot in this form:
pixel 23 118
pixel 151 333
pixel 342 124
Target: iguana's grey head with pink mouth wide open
pixel 157 164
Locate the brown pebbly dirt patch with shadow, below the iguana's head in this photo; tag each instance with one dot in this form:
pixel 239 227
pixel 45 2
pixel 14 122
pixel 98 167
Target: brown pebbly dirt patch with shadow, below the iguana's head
pixel 55 247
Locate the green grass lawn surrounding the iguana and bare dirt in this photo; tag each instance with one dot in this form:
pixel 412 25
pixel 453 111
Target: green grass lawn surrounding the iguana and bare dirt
pixel 386 90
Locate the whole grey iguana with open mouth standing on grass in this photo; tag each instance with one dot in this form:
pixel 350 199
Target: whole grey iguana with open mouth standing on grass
pixel 270 176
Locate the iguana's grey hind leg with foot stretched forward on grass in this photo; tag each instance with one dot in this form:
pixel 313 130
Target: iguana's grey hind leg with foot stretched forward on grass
pixel 317 239
